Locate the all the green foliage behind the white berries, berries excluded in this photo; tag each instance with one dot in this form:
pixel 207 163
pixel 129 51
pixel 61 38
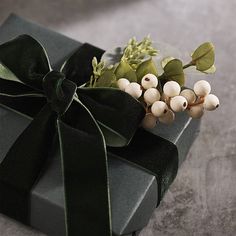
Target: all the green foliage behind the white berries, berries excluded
pixel 137 61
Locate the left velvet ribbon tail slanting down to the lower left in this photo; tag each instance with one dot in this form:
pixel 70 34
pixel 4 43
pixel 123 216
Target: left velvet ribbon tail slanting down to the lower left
pixel 23 164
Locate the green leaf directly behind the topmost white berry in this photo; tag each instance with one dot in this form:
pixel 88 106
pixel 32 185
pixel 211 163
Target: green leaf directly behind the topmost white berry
pixel 146 67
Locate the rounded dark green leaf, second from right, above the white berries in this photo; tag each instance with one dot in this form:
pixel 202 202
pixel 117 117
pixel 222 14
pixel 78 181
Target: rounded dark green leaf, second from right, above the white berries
pixel 174 71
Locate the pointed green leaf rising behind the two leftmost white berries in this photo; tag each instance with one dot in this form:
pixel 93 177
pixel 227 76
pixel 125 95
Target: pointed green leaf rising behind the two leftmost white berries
pixel 124 70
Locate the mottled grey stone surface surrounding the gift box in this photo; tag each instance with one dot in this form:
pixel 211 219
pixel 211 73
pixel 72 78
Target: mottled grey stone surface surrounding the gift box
pixel 202 200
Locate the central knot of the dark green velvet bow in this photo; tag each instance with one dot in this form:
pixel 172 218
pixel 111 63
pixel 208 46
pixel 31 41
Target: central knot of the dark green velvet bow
pixel 59 91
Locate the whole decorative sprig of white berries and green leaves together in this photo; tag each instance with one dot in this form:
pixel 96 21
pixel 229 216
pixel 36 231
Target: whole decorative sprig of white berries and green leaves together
pixel 161 95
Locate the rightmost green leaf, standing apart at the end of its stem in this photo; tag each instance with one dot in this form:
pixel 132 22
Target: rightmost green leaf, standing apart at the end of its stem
pixel 204 56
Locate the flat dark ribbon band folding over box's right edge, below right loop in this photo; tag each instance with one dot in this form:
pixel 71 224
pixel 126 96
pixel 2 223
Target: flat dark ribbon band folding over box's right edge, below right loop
pixel 163 164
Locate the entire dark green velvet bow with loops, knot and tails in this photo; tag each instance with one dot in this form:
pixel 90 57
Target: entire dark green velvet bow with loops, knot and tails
pixel 84 120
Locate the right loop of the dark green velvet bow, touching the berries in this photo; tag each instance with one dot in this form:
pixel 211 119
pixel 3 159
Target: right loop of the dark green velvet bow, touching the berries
pixel 116 112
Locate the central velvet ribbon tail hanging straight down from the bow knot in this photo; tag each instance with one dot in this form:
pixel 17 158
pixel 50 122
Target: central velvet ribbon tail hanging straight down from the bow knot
pixel 85 175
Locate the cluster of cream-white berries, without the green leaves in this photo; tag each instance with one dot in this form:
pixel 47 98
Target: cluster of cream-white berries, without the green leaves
pixel 162 107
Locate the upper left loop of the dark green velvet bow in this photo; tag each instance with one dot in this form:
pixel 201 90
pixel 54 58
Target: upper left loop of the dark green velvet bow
pixel 25 58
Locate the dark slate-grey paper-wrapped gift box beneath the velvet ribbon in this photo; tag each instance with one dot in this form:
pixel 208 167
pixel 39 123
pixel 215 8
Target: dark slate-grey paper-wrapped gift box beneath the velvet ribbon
pixel 134 191
